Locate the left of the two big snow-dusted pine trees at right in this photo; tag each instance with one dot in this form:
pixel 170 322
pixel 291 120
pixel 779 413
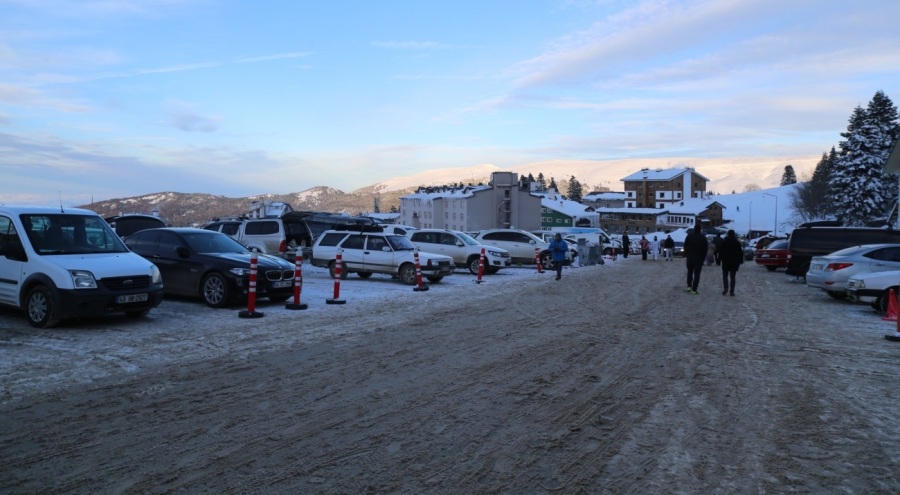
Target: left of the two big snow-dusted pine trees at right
pixel 855 181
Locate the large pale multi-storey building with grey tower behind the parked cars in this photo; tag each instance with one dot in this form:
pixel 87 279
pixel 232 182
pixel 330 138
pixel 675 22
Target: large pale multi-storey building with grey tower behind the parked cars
pixel 503 203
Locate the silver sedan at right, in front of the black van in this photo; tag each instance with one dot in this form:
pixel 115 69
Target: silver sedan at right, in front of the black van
pixel 830 273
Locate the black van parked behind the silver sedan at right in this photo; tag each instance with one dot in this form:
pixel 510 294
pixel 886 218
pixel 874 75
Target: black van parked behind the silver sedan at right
pixel 810 240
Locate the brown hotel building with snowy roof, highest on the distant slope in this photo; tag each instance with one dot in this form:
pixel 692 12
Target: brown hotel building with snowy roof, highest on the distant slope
pixel 661 187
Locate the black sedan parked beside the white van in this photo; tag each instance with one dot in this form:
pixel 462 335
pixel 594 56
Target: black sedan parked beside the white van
pixel 211 265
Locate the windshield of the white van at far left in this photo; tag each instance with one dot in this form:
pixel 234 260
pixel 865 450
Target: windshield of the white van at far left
pixel 71 234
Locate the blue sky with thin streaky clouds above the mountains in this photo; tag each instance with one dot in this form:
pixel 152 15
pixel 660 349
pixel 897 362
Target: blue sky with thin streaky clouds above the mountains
pixel 103 99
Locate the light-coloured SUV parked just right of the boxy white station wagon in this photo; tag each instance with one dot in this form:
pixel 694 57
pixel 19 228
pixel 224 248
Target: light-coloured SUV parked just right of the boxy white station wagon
pixel 465 251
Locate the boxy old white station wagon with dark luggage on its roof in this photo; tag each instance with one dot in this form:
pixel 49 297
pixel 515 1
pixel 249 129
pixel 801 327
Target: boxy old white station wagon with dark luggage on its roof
pixel 365 251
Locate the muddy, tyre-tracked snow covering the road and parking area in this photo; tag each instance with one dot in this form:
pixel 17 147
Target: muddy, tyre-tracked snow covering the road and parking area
pixel 612 380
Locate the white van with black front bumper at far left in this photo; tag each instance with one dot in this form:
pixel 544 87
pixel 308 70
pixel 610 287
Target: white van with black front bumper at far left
pixel 61 263
